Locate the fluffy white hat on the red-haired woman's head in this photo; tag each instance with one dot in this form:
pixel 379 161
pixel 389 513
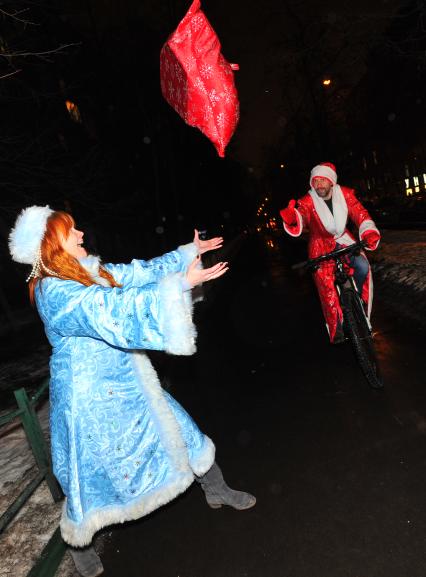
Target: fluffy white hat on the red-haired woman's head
pixel 26 236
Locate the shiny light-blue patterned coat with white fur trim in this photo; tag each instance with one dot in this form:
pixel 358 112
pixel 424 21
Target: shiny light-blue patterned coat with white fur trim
pixel 121 445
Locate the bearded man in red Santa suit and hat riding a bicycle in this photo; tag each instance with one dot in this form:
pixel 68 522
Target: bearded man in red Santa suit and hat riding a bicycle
pixel 323 213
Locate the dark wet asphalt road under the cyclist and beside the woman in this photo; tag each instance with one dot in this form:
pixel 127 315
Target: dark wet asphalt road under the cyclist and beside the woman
pixel 339 470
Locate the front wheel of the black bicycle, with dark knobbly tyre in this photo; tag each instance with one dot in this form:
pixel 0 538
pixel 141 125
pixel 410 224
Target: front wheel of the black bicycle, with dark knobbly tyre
pixel 361 338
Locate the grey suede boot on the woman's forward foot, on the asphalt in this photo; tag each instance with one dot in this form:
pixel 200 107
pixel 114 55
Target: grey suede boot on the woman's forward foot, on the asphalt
pixel 218 493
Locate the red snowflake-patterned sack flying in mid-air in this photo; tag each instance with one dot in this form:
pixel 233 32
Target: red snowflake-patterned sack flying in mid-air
pixel 197 81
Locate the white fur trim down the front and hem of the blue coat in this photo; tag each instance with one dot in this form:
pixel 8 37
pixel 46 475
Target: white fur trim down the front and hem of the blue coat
pixel 81 534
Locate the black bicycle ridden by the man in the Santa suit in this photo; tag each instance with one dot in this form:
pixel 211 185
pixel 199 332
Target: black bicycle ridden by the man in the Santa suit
pixel 356 324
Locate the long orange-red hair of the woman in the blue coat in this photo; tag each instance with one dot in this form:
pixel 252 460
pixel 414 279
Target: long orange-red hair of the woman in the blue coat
pixel 59 261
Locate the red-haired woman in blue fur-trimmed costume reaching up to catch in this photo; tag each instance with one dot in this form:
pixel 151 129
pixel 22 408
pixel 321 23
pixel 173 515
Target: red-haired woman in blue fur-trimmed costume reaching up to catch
pixel 121 445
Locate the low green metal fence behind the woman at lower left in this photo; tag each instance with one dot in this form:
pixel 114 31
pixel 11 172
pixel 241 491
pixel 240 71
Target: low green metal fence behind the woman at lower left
pixel 53 552
